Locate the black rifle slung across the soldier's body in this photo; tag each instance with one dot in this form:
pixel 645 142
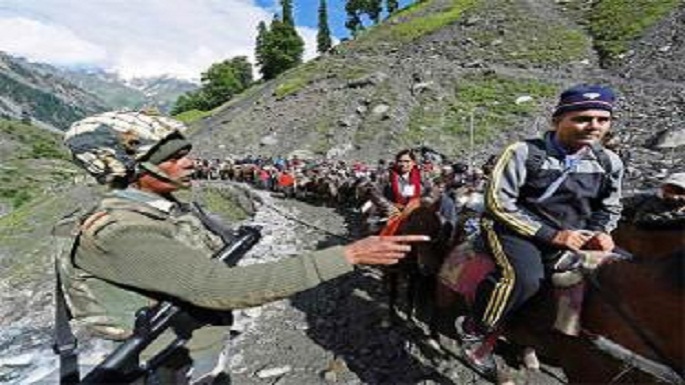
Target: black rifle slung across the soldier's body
pixel 122 365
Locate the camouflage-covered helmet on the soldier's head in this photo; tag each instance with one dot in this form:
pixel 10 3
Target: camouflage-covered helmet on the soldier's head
pixel 113 146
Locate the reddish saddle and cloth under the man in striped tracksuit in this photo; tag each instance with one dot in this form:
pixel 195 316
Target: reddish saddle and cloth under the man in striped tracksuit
pixel 467 265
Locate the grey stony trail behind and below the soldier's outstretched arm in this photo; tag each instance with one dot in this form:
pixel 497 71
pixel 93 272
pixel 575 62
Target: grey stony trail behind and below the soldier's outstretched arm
pixel 336 333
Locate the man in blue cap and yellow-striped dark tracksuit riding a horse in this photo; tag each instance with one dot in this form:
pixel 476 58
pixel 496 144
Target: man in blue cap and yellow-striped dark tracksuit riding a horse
pixel 560 192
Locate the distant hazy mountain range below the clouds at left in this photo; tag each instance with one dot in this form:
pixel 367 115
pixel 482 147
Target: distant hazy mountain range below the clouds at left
pixel 53 97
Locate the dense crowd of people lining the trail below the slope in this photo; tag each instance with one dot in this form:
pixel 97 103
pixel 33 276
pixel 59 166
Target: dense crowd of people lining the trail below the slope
pixel 303 178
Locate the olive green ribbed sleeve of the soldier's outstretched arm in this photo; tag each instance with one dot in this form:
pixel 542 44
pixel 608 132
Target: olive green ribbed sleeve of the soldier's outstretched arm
pixel 147 258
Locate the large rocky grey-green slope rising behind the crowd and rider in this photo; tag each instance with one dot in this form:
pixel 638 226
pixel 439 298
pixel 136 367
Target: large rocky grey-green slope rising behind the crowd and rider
pixel 429 73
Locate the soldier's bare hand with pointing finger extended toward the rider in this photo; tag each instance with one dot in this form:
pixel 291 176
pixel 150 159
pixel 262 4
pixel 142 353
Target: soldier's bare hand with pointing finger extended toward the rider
pixel 383 250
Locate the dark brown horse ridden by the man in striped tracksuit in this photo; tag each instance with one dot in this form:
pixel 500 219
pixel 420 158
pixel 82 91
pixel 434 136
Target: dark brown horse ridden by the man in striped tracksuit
pixel 632 319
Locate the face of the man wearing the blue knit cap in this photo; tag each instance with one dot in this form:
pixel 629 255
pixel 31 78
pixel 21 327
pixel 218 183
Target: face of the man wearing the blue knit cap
pixel 577 129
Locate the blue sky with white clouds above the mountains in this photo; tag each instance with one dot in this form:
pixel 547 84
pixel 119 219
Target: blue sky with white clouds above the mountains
pixel 142 38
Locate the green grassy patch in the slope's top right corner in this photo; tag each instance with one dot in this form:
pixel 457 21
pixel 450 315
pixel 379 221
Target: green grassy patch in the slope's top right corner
pixel 614 24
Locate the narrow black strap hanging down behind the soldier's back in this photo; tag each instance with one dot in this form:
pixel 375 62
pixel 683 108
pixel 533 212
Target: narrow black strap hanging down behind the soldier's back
pixel 64 341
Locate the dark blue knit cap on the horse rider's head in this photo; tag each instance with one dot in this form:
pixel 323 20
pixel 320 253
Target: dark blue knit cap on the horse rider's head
pixel 585 97
